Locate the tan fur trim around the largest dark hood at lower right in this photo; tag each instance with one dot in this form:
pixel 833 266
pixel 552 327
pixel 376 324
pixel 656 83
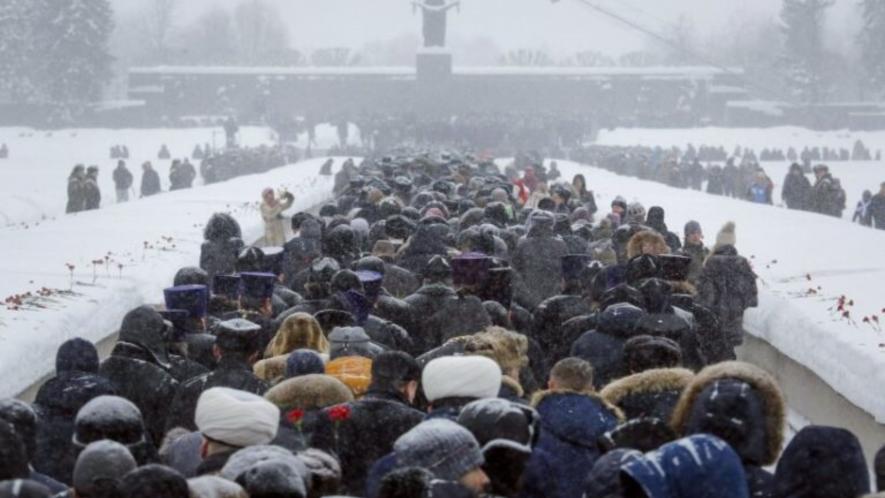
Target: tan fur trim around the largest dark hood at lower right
pixel 774 407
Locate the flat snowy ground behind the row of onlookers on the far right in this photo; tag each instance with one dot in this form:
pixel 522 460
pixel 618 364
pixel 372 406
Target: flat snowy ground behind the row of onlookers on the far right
pixel 856 176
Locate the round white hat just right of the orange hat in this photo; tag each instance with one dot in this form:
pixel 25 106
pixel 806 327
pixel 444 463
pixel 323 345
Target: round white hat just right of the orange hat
pixel 462 377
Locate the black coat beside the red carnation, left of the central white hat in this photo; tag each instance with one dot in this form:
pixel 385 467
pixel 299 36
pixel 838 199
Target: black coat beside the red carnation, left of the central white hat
pixel 375 423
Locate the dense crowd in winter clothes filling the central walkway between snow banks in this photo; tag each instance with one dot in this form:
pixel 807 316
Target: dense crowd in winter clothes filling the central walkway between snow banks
pixel 441 329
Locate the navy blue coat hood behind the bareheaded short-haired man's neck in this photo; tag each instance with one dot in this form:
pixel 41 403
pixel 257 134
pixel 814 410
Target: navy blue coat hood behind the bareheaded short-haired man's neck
pixel 578 418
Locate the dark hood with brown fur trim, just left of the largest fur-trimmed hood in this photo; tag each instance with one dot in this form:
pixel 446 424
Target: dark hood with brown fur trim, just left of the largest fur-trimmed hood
pixel 652 393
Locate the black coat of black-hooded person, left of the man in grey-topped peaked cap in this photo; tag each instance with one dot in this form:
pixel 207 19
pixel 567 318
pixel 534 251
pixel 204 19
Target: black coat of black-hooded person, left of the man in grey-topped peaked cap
pixel 136 377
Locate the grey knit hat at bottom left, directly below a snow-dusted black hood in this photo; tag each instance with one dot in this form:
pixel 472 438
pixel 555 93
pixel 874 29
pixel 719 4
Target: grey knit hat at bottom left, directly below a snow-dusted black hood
pixel 100 466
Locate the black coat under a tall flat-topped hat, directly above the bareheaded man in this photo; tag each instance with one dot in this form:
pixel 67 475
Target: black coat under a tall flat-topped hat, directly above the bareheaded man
pixel 547 321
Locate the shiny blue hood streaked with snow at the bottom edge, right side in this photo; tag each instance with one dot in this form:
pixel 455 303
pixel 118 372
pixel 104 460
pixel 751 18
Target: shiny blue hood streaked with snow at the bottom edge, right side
pixel 689 468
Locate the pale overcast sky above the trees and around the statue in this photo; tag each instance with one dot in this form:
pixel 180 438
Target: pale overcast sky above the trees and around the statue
pixel 562 28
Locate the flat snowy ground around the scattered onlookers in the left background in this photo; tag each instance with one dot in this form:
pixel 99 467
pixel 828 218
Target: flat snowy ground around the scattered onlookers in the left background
pixel 33 180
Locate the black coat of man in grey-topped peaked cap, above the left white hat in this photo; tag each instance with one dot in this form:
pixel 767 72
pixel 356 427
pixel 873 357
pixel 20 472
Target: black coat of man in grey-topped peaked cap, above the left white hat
pixel 229 373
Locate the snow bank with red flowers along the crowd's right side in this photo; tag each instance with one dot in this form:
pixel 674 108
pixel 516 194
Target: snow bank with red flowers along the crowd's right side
pixel 805 263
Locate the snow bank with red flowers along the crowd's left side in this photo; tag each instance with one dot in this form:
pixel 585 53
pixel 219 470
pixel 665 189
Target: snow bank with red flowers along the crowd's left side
pixel 171 226
